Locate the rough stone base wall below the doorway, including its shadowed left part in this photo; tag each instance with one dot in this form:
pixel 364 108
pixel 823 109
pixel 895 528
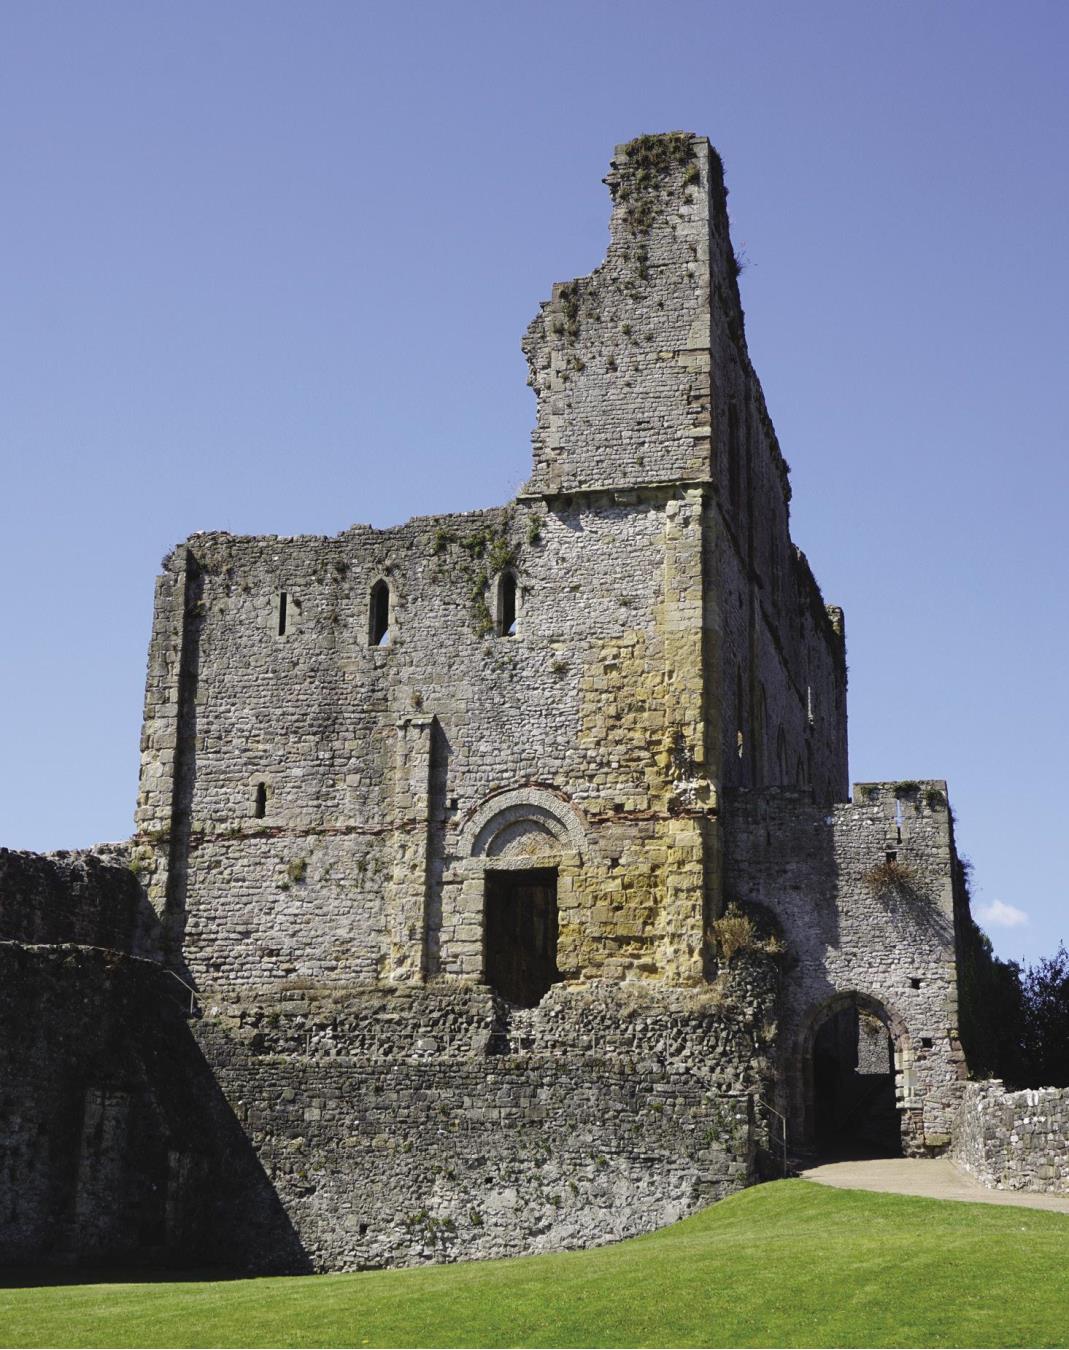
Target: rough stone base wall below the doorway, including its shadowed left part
pixel 333 1129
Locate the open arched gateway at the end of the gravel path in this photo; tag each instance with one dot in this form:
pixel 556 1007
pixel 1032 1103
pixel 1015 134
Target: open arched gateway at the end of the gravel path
pixel 854 1091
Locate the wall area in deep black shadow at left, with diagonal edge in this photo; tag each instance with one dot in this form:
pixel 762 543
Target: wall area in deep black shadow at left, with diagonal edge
pixel 117 1147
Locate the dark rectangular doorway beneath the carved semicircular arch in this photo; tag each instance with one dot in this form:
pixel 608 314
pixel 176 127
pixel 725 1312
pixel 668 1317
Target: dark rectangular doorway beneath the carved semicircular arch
pixel 522 934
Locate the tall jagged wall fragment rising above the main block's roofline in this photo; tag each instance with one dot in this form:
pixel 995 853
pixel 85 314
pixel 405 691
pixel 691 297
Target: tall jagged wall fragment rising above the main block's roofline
pixel 622 360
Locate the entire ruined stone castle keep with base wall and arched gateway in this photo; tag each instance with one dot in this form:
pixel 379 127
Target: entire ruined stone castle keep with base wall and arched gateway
pixel 510 857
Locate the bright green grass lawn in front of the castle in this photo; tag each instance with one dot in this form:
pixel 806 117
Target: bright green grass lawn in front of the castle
pixel 788 1264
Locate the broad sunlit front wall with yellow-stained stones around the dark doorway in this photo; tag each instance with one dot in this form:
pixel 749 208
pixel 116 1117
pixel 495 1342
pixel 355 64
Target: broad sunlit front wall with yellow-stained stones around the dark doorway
pixel 599 699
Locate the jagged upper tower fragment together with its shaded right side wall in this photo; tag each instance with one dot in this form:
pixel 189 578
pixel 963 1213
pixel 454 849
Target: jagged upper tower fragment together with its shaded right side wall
pixel 643 376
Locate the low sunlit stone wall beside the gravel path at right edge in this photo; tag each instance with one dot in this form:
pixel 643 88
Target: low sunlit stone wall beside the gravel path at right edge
pixel 1016 1141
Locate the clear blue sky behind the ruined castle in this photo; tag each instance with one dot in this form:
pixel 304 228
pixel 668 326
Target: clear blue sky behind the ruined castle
pixel 265 268
